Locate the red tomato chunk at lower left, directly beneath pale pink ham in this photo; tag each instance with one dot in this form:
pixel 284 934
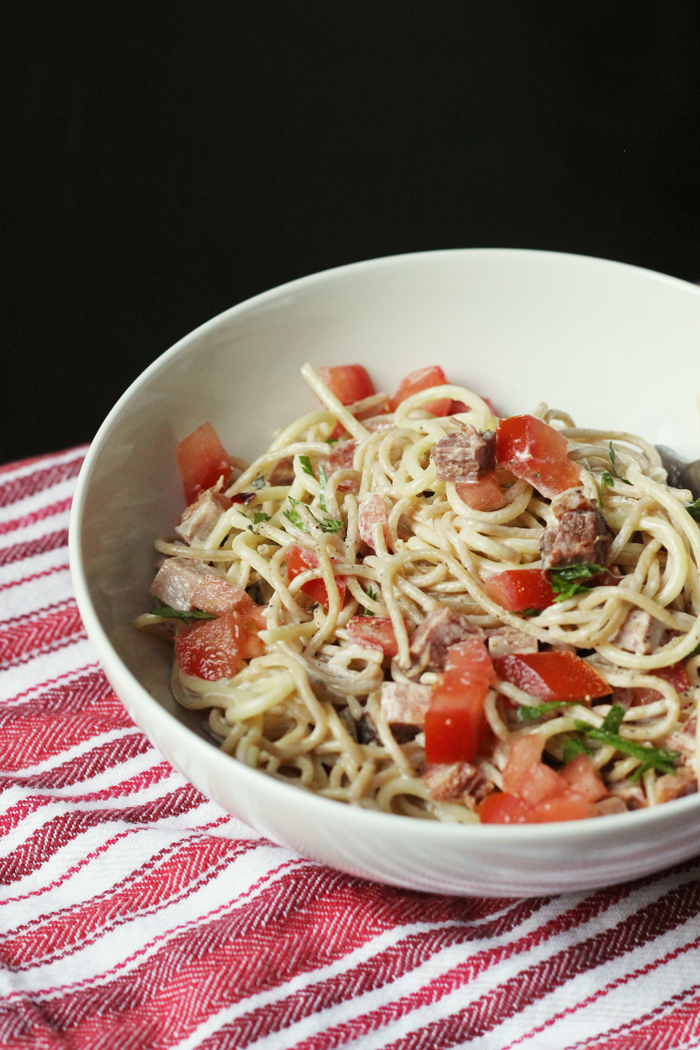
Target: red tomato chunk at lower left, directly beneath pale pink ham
pixel 218 648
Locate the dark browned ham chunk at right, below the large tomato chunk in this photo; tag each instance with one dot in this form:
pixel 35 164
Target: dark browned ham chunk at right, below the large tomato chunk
pixel 581 534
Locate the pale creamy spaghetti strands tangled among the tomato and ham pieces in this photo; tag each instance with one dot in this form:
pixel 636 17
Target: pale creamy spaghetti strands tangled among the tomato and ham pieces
pixel 308 706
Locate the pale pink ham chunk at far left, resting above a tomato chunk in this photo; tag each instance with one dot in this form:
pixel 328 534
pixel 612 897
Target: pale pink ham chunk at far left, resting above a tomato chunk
pixel 185 584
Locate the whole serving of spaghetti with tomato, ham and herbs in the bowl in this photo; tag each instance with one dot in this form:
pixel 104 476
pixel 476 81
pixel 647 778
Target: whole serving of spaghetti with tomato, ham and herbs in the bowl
pixel 417 607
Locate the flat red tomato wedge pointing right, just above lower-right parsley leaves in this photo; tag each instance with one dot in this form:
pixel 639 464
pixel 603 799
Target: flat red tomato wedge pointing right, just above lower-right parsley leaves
pixel 553 676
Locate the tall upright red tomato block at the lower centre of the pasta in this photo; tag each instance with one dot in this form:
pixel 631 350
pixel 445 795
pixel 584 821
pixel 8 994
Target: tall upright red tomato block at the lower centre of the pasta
pixel 455 724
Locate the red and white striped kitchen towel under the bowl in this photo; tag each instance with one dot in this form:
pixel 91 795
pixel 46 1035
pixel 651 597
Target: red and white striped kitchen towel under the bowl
pixel 137 914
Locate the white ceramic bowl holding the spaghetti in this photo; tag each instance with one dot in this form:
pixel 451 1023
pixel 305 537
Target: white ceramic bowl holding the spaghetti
pixel 613 345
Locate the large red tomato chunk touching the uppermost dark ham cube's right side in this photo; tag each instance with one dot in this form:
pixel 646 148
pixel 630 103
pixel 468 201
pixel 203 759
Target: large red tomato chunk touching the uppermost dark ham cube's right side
pixel 537 453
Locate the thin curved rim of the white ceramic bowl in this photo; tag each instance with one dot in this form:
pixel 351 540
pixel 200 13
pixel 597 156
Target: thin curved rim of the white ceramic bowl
pixel 494 835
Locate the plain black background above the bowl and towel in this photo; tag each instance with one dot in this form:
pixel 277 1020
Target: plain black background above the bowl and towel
pixel 164 161
